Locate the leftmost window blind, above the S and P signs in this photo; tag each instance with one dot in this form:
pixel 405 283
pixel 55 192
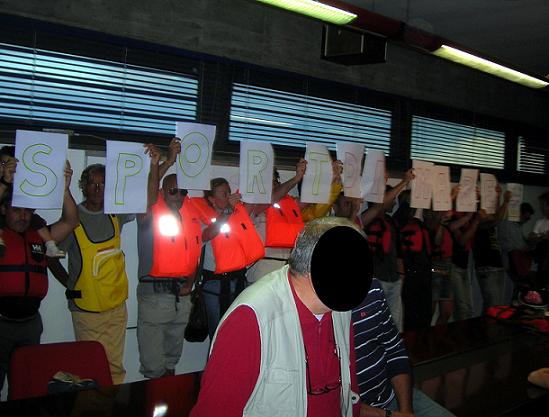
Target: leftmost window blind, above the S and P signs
pixel 46 86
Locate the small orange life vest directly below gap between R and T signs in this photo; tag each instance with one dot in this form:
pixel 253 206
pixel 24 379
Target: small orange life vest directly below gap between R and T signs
pixel 284 223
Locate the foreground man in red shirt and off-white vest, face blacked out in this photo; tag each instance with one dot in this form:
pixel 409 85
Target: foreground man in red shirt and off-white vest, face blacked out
pixel 284 347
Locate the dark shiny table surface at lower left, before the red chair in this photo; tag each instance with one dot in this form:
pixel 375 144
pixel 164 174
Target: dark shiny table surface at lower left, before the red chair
pixel 163 397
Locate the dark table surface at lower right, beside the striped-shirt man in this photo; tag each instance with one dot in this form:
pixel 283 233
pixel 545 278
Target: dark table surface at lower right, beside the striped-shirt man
pixel 478 367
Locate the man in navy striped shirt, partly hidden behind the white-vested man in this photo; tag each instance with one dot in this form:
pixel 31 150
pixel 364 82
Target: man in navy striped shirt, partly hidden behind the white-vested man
pixel 382 365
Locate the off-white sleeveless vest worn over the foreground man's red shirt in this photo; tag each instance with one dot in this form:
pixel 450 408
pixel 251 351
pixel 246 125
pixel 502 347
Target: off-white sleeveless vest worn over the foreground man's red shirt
pixel 281 388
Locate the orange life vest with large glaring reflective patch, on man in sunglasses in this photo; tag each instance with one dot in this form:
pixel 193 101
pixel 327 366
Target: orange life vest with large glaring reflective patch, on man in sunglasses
pixel 178 254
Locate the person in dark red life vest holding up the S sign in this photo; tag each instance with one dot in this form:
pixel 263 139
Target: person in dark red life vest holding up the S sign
pixel 23 269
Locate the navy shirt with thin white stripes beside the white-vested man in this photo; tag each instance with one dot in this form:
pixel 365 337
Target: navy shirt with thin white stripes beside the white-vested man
pixel 380 351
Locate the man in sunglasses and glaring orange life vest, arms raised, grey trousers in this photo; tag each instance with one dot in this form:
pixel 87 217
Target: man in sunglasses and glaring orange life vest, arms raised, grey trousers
pixel 169 245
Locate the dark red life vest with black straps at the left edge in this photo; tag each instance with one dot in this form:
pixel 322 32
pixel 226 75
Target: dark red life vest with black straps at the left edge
pixel 23 268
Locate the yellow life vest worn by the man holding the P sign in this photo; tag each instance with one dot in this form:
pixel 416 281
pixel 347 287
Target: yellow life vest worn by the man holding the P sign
pixel 102 281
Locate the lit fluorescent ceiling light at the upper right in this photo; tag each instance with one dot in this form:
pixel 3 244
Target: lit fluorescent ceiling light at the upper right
pixel 490 67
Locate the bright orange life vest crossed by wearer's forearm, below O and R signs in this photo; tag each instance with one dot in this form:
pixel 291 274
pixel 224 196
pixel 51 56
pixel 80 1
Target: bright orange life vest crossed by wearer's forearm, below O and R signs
pixel 238 248
